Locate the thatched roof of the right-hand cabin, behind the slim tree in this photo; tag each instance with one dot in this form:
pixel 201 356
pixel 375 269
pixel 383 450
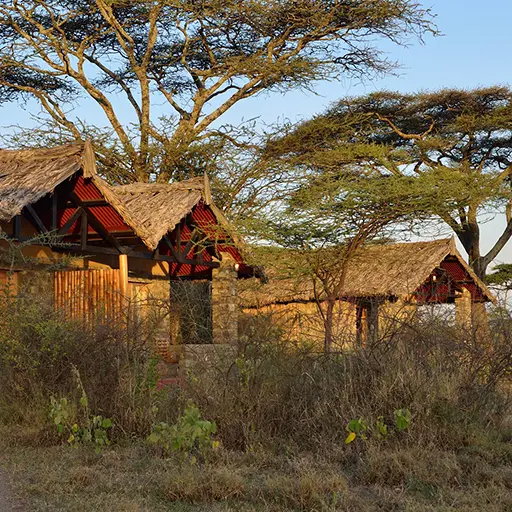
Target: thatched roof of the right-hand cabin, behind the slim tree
pixel 393 270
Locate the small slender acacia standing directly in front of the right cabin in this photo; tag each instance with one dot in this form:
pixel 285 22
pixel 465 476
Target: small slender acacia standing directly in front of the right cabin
pixel 326 223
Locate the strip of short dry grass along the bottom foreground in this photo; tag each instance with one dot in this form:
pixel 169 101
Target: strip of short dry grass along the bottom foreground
pixel 390 479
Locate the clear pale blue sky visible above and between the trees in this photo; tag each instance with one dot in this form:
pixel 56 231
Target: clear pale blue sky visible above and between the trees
pixel 474 51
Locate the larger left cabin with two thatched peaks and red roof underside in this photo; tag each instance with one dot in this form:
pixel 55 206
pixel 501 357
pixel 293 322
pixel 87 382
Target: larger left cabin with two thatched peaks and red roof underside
pixel 127 243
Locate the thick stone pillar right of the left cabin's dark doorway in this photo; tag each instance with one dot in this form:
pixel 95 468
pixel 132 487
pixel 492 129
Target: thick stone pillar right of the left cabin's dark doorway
pixel 225 302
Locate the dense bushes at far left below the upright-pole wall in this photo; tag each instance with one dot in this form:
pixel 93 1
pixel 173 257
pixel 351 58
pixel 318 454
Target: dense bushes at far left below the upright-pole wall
pixel 38 351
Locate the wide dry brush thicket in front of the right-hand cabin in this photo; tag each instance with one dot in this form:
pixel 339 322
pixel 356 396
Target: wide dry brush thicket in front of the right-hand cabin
pixel 427 384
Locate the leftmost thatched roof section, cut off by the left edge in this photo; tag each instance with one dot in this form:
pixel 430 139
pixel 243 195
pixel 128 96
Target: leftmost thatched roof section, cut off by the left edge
pixel 28 175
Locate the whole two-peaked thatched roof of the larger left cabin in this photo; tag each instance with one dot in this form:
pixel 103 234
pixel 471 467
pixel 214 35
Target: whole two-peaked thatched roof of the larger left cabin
pixel 151 210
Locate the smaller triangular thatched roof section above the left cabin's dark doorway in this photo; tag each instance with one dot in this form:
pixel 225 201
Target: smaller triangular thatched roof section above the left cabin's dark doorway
pixel 156 209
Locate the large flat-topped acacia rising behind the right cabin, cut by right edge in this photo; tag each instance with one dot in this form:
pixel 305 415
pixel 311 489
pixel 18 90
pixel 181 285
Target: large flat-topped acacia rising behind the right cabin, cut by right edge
pixel 449 152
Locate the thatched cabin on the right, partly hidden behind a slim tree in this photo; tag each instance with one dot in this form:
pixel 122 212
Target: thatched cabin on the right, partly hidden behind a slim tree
pixel 383 286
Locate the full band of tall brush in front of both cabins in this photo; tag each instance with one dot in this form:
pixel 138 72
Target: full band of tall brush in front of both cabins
pixel 273 396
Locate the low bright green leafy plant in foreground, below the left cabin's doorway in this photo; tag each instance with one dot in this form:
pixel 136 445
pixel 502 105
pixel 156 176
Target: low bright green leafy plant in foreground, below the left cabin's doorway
pixel 189 437
